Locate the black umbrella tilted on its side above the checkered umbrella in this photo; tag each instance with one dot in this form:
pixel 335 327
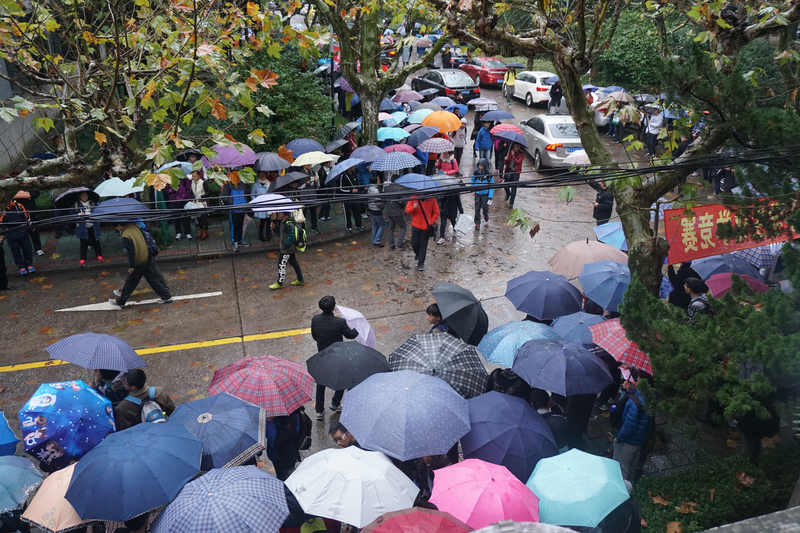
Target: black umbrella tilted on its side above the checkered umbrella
pixel 462 311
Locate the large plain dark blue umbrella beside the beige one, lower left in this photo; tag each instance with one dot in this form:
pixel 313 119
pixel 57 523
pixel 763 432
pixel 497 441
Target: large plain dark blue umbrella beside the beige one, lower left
pixel 134 471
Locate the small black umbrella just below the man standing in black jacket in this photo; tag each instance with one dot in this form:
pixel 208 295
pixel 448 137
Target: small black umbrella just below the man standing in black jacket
pixel 343 365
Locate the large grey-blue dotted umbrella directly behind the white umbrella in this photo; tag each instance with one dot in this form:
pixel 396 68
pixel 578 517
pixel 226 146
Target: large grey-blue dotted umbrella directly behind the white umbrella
pixel 405 414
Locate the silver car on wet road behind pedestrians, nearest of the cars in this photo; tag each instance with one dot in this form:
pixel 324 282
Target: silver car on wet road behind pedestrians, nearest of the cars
pixel 550 139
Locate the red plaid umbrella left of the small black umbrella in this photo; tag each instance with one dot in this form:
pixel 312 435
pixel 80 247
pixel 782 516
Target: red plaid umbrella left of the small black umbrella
pixel 277 386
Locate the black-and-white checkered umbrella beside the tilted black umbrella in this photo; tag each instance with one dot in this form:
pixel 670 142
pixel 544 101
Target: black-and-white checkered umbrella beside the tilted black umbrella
pixel 443 356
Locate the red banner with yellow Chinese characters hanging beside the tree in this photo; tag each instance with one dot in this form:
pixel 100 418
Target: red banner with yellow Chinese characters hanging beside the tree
pixel 692 235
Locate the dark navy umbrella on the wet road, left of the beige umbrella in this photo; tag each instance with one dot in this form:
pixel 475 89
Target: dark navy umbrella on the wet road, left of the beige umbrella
pixel 544 295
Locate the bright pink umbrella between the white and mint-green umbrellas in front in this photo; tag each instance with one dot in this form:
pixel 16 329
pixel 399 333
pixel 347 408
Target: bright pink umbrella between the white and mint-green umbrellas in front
pixel 480 494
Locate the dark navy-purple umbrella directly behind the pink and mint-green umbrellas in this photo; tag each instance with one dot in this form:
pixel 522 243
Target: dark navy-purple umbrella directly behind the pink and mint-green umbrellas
pixel 506 430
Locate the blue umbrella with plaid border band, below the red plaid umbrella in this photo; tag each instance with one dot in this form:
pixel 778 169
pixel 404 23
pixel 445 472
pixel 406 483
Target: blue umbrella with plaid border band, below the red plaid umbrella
pixel 231 430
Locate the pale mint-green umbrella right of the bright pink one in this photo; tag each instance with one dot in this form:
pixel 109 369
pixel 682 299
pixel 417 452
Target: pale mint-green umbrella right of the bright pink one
pixel 577 488
